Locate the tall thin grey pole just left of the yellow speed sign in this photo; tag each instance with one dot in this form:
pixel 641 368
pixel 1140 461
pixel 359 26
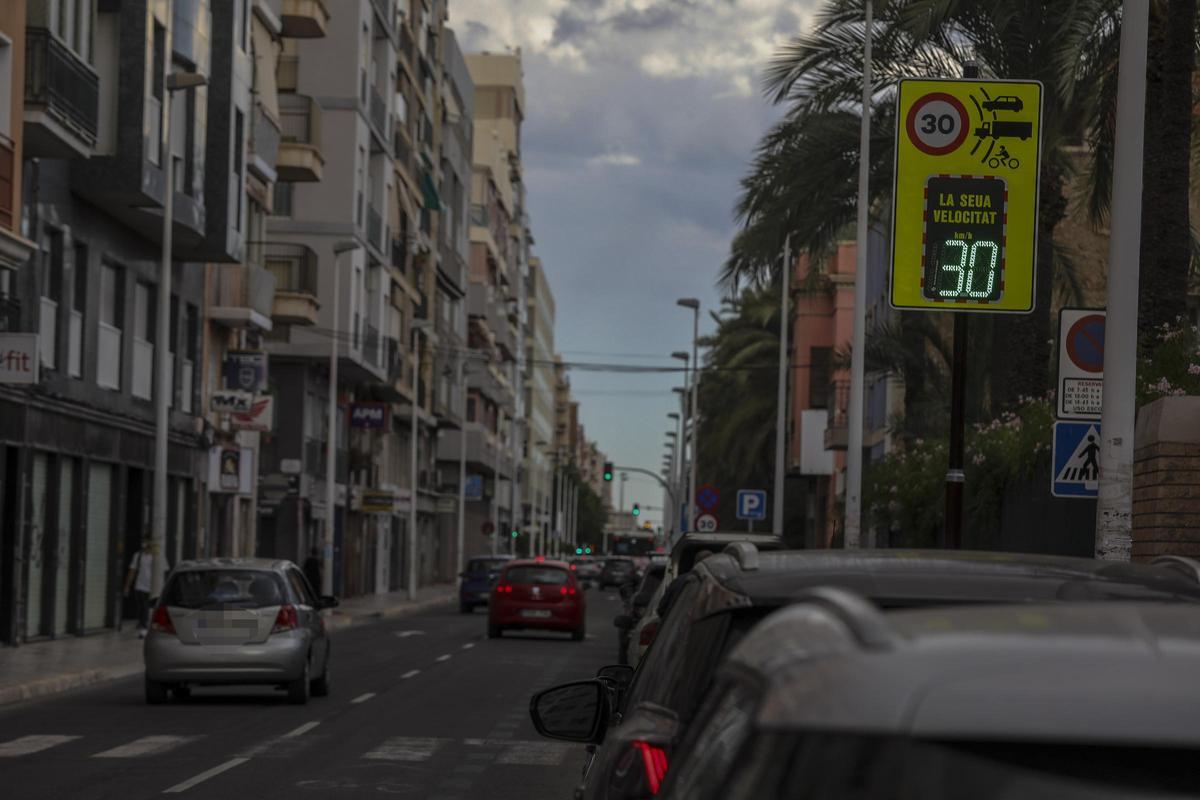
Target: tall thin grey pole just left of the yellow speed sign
pixel 859 344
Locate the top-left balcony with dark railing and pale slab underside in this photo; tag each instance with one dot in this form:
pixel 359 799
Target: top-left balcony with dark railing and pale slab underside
pixel 62 100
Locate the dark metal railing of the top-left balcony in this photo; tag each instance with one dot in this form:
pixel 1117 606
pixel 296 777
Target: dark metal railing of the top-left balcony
pixel 58 81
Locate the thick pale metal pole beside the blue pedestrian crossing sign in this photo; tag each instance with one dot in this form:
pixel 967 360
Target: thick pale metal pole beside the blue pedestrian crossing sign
pixel 1114 512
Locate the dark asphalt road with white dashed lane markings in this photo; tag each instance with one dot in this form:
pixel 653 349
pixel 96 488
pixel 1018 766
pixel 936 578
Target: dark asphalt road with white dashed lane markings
pixel 422 707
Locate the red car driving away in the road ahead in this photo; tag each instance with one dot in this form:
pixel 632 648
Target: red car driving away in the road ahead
pixel 539 596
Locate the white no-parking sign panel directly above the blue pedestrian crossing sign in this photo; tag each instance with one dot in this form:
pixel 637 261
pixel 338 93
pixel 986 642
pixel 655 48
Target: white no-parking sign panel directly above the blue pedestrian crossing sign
pixel 1081 364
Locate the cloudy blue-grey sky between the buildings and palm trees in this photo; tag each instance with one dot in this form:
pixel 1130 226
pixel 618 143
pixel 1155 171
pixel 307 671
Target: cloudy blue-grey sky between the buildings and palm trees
pixel 641 118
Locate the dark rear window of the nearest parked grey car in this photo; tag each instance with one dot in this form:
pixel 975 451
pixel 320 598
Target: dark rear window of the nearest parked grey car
pixel 820 766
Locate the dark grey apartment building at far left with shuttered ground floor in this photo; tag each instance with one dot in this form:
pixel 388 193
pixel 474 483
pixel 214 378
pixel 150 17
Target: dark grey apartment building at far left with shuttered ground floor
pixel 93 166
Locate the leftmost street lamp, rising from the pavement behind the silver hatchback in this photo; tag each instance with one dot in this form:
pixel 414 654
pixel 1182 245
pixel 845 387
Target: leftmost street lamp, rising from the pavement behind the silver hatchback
pixel 176 82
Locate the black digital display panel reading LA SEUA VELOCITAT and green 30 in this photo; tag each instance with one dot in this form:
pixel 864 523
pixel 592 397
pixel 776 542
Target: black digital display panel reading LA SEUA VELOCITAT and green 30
pixel 964 249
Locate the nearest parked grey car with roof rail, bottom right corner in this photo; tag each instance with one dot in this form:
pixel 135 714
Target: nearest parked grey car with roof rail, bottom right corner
pixel 835 700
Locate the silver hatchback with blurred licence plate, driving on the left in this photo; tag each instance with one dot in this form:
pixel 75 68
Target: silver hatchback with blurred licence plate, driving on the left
pixel 236 622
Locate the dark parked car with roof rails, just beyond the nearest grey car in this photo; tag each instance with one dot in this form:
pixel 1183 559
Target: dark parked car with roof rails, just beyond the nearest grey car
pixel 727 596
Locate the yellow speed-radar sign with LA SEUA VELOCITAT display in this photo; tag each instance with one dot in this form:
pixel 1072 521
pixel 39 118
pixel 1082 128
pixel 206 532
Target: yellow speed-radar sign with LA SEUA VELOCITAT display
pixel 967 195
